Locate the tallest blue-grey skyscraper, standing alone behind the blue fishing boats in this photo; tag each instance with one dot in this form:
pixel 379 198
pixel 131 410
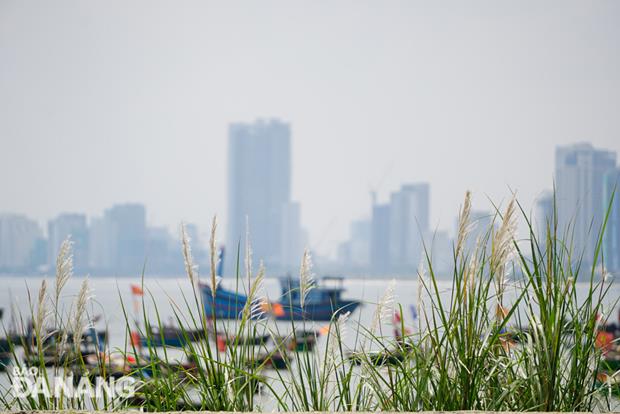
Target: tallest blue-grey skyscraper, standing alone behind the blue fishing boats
pixel 259 190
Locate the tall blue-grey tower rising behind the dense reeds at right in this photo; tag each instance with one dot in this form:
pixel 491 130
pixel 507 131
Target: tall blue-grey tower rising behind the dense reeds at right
pixel 580 172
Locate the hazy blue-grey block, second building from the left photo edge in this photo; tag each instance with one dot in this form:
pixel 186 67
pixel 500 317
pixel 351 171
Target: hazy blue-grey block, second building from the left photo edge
pixel 59 229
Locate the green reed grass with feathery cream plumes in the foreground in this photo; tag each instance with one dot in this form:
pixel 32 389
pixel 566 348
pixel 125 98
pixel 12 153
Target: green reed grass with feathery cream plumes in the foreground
pixel 511 334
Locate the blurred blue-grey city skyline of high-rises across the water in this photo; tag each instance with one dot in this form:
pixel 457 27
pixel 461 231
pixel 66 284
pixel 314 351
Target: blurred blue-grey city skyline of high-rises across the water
pixel 389 242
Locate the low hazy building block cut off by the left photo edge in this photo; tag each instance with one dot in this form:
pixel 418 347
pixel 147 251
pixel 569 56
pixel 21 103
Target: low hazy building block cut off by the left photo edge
pixel 18 239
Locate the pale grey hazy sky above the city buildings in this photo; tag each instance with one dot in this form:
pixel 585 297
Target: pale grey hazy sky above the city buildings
pixel 114 101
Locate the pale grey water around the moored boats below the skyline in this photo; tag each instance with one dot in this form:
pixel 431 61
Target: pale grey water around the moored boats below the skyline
pixel 168 294
